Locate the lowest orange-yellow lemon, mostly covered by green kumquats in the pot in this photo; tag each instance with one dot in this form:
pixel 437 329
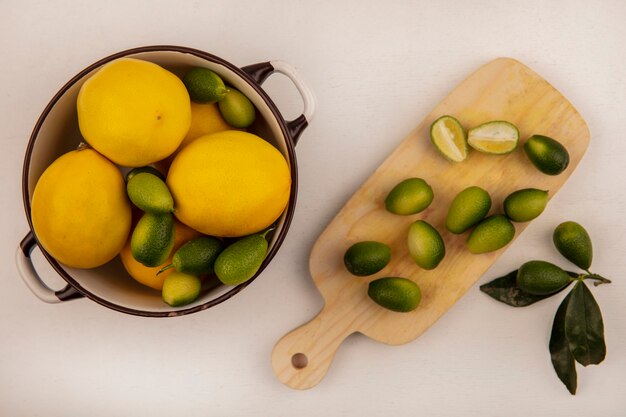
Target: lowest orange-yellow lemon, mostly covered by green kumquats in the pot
pixel 147 275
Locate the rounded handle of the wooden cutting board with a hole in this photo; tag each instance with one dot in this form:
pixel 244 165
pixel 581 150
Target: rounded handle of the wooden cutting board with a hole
pixel 302 357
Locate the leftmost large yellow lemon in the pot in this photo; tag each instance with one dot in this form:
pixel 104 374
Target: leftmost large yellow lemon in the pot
pixel 80 211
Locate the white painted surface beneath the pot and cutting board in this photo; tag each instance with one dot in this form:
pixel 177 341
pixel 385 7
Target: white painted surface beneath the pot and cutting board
pixel 377 70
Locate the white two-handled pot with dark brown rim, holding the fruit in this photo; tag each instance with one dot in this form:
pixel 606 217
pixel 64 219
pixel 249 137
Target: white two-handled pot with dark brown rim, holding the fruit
pixel 56 133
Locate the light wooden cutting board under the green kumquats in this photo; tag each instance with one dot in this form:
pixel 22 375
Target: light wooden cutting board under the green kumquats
pixel 503 89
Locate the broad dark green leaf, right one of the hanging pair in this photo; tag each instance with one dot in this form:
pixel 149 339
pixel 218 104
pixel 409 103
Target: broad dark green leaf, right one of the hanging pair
pixel 584 327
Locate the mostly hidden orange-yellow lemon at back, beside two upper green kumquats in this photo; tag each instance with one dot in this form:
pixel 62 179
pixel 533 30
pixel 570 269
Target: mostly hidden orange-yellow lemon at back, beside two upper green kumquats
pixel 205 119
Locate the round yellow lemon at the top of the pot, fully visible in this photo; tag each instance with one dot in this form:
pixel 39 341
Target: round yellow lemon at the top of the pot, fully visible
pixel 134 112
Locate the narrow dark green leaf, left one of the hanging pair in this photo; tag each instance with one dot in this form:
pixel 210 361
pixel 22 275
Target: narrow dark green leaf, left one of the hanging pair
pixel 562 358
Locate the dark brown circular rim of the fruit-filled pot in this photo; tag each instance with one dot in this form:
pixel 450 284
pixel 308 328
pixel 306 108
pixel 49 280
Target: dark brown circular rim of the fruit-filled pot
pixel 289 210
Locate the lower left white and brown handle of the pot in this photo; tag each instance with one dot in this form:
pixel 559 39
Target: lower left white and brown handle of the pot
pixel 33 281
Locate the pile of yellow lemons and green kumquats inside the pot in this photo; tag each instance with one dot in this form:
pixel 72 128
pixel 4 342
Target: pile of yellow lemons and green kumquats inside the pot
pixel 197 174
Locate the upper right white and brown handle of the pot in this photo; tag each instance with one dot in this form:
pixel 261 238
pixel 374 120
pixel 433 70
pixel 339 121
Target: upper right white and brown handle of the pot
pixel 261 71
